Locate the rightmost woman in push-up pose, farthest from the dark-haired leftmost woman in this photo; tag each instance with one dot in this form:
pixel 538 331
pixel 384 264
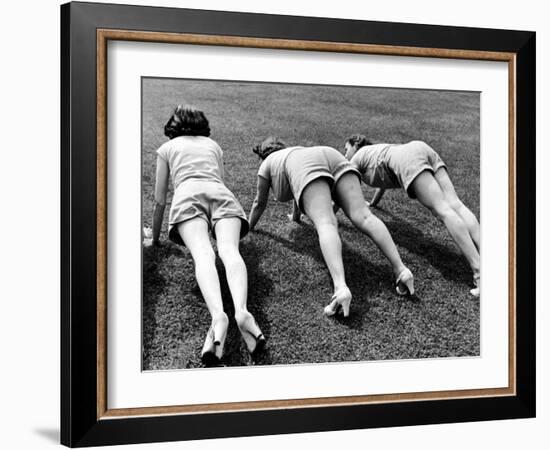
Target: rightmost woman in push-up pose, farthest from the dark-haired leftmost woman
pixel 421 172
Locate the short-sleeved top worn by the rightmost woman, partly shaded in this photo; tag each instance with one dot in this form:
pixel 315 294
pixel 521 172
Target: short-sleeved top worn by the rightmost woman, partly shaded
pixel 372 162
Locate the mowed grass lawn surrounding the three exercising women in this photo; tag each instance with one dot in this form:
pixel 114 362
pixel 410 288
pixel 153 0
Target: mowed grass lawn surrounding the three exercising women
pixel 288 281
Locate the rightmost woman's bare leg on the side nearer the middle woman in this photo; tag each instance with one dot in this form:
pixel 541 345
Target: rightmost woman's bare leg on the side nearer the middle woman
pixel 429 193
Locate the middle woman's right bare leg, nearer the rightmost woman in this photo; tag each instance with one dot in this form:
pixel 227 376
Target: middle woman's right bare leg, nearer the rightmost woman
pixel 350 198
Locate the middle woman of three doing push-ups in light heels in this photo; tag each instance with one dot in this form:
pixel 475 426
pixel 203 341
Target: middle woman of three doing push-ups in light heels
pixel 314 177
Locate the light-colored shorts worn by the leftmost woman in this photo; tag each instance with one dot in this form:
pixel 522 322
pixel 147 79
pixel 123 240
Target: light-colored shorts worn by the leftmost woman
pixel 208 200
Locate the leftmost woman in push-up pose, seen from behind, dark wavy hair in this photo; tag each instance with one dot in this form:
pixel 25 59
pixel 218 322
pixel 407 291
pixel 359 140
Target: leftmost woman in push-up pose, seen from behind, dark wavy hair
pixel 202 204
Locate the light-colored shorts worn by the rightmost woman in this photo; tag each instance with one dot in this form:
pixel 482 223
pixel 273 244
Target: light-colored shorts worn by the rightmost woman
pixel 409 160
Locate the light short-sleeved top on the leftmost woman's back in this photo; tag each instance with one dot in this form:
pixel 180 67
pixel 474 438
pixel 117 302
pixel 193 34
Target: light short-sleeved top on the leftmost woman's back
pixel 193 158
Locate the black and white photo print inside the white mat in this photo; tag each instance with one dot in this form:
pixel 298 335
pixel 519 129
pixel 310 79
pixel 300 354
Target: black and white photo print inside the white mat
pixel 303 224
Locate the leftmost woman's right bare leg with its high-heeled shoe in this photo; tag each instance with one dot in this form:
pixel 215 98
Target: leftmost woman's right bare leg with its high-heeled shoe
pixel 227 236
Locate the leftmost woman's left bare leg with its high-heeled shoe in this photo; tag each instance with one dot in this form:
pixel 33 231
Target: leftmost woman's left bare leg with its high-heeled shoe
pixel 194 233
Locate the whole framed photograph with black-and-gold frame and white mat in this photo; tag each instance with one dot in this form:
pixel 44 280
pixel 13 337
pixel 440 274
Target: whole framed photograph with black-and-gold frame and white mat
pixel 277 224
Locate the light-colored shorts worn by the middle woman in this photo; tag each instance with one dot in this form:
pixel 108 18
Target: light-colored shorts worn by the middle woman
pixel 306 164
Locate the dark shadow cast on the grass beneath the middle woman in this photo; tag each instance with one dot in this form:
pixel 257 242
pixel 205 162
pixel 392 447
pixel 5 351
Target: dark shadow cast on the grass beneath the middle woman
pixel 364 278
